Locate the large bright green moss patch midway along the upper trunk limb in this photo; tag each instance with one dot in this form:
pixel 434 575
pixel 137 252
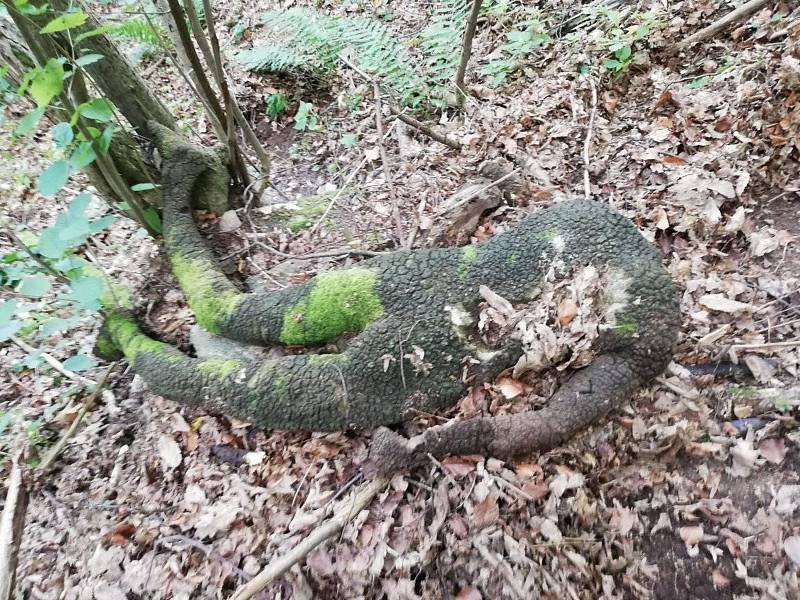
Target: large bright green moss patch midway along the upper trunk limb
pixel 340 302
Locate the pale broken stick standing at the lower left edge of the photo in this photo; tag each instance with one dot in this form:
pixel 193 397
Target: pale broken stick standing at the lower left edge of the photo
pixel 11 527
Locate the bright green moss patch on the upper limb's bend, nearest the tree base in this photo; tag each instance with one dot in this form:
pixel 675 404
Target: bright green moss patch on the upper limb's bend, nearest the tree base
pixel 210 305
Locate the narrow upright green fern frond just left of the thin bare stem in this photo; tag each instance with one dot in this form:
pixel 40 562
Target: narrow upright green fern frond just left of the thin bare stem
pixel 440 40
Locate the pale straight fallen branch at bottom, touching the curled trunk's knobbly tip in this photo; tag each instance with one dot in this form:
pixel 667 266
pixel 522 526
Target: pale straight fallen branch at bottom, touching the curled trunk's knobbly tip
pixel 348 509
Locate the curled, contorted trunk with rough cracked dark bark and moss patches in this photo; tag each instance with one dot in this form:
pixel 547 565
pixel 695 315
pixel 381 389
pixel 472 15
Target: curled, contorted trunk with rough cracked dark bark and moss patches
pixel 396 303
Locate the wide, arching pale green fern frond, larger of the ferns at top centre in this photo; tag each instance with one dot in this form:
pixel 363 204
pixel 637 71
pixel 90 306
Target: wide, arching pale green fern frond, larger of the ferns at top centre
pixel 304 40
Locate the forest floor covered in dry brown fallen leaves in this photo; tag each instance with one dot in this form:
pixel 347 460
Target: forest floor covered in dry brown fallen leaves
pixel 690 490
